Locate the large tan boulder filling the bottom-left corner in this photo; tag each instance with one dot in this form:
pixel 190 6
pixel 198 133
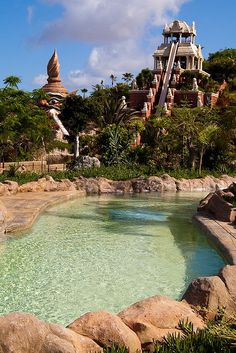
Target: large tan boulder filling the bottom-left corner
pixel 24 333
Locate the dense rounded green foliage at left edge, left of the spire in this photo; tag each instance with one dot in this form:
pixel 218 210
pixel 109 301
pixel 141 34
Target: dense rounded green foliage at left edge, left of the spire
pixel 25 129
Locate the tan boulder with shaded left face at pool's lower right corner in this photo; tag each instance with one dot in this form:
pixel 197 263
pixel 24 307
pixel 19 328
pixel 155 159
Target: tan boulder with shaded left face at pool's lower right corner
pixel 211 294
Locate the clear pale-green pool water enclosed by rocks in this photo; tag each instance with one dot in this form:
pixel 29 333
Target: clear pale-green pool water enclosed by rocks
pixel 104 253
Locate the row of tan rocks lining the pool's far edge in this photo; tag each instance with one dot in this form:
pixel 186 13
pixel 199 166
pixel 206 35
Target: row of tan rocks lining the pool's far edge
pixel 102 185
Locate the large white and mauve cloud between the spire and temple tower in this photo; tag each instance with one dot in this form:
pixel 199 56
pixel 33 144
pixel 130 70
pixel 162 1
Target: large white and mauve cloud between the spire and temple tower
pixel 116 28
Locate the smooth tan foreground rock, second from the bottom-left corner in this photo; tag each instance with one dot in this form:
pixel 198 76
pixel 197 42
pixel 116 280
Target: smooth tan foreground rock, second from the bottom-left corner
pixel 106 329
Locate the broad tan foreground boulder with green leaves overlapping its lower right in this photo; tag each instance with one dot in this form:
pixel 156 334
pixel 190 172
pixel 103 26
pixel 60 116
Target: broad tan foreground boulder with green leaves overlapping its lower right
pixel 153 318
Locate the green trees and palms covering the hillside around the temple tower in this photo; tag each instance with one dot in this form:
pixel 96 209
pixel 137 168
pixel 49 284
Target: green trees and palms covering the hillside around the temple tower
pixel 193 139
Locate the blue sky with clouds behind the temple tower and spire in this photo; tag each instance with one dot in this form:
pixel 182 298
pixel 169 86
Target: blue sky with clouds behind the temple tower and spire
pixel 97 38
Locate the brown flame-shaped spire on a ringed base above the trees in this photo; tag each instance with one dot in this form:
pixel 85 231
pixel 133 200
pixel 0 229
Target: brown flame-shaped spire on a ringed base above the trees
pixel 54 84
